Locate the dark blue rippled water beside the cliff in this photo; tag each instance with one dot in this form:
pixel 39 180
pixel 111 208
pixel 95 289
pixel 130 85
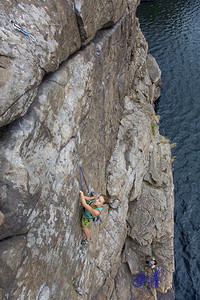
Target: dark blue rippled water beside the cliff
pixel 172 29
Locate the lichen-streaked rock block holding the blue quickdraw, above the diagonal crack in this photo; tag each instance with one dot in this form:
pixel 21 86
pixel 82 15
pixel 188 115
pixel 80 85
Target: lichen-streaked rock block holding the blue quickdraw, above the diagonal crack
pixel 23 62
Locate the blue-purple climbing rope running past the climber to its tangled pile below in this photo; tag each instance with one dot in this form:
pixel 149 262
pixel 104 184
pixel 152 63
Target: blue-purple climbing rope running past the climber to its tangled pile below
pixel 149 279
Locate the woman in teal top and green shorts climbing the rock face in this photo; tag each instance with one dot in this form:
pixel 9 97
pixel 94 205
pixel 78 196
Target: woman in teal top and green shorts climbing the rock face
pixel 92 208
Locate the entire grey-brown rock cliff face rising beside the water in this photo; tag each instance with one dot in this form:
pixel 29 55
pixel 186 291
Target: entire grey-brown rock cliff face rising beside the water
pixel 85 87
